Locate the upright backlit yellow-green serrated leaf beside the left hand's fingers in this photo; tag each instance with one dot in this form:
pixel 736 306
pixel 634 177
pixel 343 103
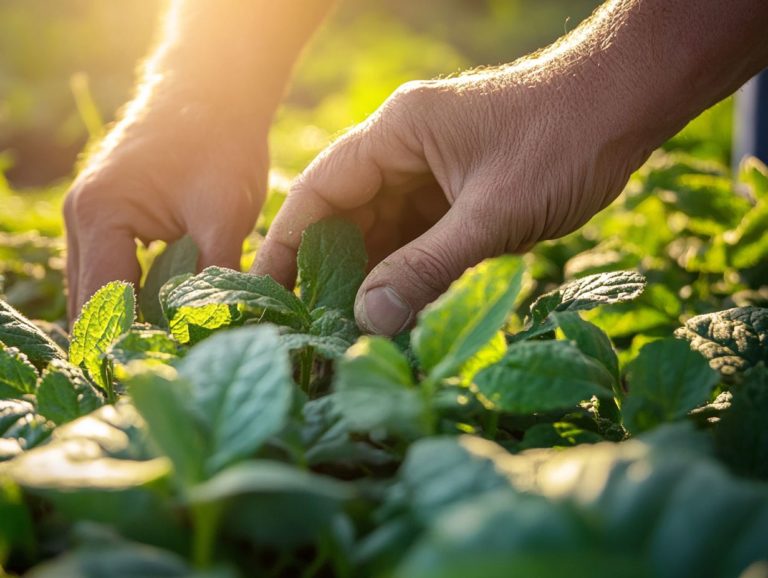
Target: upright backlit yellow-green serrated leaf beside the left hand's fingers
pixel 106 316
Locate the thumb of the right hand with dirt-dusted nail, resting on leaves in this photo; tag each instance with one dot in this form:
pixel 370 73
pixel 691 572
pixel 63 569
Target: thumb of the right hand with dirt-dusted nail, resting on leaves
pixel 414 276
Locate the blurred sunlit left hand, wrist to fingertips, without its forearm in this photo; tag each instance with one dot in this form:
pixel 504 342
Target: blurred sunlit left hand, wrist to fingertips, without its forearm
pixel 167 169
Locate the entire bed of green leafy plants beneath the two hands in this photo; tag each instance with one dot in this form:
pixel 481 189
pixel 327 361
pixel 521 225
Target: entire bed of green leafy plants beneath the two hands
pixel 596 408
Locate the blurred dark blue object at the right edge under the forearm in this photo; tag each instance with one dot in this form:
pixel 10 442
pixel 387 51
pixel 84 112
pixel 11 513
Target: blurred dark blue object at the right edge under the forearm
pixel 751 127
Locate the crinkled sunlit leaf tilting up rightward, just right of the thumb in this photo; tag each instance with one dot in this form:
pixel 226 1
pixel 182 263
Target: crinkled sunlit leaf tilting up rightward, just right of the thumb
pixel 582 295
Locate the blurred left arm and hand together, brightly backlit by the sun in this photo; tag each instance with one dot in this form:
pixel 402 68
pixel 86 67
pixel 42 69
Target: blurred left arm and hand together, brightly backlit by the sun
pixel 189 154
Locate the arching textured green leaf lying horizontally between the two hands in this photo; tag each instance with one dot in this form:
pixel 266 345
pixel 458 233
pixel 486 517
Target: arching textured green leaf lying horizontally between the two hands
pixel 261 297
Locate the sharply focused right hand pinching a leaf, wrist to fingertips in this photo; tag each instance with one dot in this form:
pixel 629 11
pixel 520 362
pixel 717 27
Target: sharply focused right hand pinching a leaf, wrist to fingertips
pixel 449 172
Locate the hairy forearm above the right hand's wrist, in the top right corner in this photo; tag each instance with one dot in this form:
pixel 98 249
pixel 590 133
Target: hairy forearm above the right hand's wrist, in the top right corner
pixel 650 66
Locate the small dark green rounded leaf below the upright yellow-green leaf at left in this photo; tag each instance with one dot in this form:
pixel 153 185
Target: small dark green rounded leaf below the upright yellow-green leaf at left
pixel 64 394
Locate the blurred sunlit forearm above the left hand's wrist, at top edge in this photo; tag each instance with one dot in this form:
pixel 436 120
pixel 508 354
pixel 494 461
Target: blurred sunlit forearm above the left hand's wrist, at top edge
pixel 234 54
